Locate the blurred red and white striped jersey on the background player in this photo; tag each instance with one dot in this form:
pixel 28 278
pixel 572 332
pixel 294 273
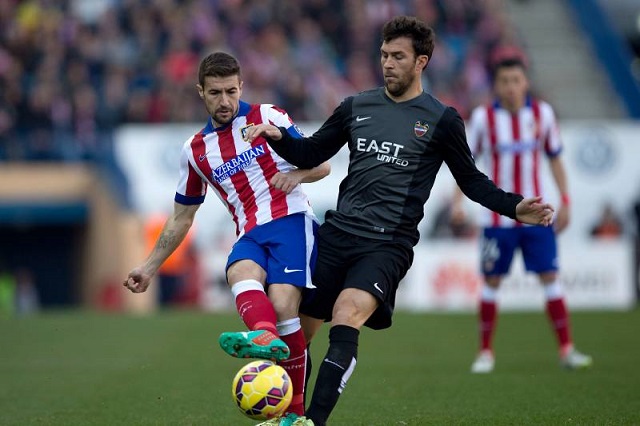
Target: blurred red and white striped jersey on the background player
pixel 508 148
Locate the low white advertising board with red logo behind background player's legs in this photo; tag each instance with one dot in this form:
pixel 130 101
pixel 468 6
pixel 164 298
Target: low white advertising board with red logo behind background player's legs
pixel 445 277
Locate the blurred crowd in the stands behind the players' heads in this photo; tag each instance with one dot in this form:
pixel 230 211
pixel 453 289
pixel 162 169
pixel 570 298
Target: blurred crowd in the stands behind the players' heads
pixel 71 71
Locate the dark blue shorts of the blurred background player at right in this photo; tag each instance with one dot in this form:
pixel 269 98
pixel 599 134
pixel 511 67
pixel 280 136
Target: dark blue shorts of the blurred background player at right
pixel 538 245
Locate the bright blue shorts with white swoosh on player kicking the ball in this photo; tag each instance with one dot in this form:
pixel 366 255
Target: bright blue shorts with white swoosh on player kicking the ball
pixel 285 248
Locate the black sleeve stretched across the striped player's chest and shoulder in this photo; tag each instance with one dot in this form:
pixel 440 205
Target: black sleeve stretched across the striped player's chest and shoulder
pixel 312 151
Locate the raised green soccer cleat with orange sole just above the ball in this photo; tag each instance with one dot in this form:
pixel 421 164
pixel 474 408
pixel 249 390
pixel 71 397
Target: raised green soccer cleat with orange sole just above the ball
pixel 261 344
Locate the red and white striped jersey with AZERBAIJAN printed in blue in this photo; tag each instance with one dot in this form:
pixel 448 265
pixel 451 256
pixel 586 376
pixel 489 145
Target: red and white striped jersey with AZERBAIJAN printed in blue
pixel 238 171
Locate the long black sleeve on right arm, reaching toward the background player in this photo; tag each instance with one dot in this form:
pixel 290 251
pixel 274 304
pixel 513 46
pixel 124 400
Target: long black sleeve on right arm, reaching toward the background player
pixel 450 133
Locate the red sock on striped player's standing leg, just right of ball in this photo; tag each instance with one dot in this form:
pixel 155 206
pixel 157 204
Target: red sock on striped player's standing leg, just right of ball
pixel 296 366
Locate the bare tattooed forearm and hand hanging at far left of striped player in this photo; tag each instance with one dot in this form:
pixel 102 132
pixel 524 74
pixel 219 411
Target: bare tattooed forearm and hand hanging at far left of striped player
pixel 173 232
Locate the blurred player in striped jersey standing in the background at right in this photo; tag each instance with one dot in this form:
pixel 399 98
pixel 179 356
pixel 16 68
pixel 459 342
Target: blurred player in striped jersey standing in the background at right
pixel 511 136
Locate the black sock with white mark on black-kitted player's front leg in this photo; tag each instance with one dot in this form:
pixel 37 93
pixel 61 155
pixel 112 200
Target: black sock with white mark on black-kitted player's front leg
pixel 335 370
